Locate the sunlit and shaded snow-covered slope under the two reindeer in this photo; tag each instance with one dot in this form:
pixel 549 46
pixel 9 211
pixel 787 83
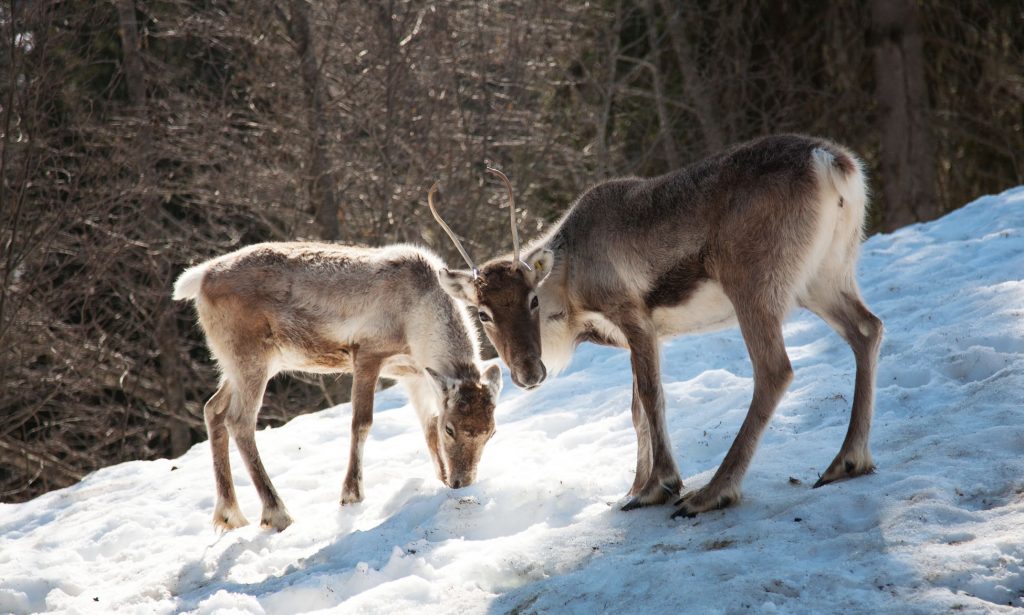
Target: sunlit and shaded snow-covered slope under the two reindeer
pixel 940 529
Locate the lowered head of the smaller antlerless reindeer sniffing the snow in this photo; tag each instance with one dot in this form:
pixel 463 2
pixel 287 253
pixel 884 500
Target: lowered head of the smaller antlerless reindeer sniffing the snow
pixel 466 422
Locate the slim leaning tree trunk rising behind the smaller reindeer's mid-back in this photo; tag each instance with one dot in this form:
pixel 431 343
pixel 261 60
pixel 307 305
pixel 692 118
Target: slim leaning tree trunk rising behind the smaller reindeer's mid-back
pixel 323 192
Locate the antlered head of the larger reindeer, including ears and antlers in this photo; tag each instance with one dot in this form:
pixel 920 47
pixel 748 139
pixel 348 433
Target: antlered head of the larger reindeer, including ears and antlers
pixel 505 296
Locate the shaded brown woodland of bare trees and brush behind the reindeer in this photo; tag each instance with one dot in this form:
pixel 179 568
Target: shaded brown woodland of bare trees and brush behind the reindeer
pixel 142 137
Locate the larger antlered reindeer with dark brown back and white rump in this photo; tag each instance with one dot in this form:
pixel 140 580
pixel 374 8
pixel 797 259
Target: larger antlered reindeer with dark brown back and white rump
pixel 739 239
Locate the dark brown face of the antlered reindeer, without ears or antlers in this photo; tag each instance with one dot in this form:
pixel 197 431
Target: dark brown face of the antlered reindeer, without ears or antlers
pixel 507 304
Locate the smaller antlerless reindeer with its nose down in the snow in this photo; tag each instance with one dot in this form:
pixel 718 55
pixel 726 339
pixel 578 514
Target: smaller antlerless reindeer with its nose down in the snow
pixel 326 310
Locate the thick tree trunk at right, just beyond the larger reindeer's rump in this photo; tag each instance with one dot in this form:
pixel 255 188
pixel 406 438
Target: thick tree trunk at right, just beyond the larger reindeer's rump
pixel 908 155
